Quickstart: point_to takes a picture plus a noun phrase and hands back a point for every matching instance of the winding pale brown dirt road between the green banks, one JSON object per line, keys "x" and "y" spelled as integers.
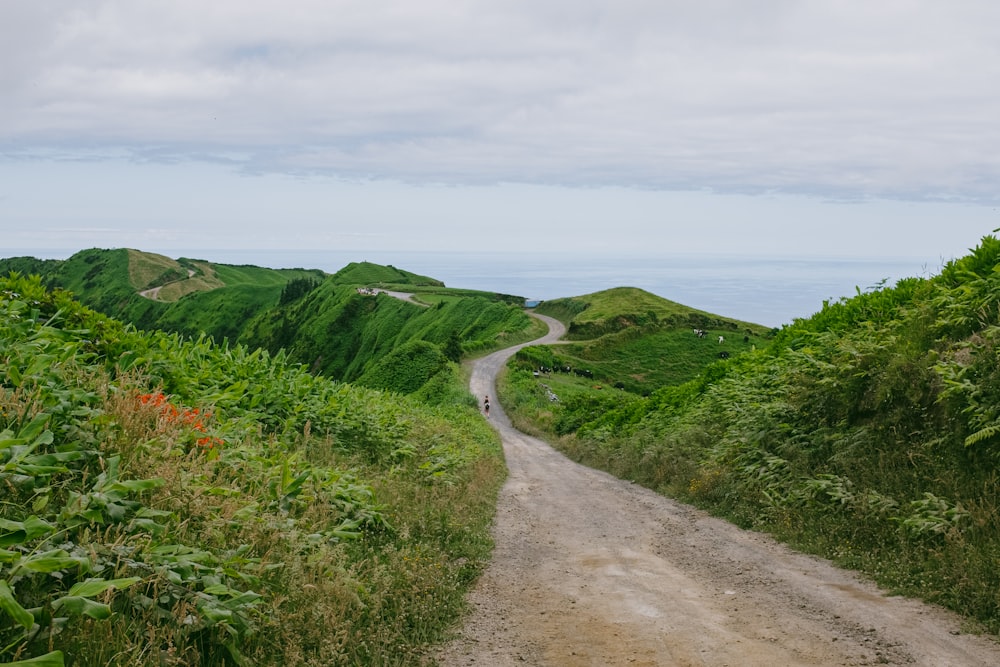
{"x": 592, "y": 570}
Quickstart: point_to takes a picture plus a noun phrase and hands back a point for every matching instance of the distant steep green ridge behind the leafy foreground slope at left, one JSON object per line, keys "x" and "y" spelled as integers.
{"x": 335, "y": 324}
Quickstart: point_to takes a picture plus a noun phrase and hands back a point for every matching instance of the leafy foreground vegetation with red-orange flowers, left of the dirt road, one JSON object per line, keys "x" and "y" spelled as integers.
{"x": 170, "y": 501}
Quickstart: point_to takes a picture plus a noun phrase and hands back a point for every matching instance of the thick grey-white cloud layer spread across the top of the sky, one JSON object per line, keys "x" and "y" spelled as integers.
{"x": 835, "y": 99}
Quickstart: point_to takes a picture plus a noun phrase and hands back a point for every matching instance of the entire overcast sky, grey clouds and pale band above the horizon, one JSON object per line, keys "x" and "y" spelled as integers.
{"x": 785, "y": 127}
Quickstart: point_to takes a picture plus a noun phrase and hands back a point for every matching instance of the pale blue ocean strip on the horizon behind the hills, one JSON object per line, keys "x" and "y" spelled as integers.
{"x": 770, "y": 291}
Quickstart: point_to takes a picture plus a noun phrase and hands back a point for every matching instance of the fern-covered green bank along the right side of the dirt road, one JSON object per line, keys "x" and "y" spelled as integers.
{"x": 868, "y": 433}
